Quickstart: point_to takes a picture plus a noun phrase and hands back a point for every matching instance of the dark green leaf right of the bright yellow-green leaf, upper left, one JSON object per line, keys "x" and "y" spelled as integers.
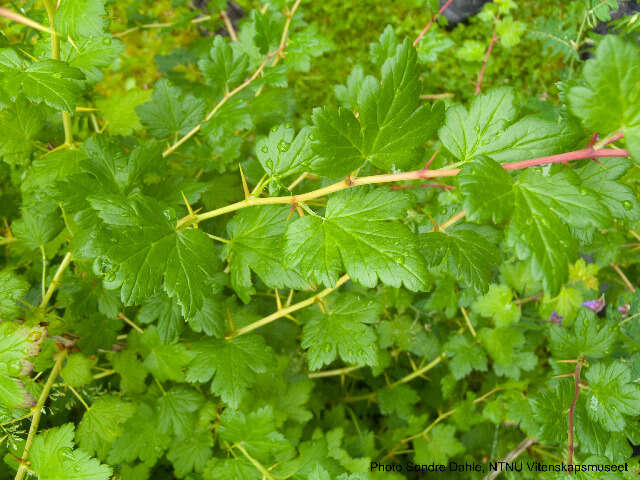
{"x": 170, "y": 112}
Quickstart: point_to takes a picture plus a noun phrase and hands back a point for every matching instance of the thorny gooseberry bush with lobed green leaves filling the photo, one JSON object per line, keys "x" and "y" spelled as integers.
{"x": 198, "y": 282}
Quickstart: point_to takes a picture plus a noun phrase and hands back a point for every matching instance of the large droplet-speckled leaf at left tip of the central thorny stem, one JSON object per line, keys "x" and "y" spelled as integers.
{"x": 148, "y": 252}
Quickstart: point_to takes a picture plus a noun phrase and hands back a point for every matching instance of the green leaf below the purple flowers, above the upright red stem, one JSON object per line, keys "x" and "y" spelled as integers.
{"x": 590, "y": 337}
